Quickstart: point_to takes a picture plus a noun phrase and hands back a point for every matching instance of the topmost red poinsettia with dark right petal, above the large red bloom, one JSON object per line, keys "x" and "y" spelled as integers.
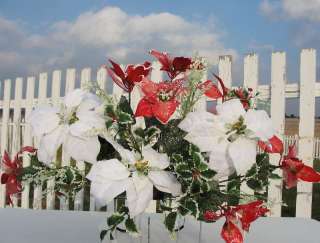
{"x": 172, "y": 65}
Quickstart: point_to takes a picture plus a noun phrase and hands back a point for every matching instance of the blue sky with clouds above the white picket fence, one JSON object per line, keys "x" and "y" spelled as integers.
{"x": 40, "y": 35}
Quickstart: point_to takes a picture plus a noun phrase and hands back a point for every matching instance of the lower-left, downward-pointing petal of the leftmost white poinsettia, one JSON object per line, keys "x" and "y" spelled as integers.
{"x": 49, "y": 145}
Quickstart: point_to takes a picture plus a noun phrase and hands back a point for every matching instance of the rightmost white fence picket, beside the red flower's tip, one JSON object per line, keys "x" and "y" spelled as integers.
{"x": 306, "y": 126}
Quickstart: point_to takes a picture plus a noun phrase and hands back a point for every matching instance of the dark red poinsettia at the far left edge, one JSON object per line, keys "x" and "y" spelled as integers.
{"x": 12, "y": 169}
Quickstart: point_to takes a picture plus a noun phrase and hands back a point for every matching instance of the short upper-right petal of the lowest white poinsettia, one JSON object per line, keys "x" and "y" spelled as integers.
{"x": 156, "y": 159}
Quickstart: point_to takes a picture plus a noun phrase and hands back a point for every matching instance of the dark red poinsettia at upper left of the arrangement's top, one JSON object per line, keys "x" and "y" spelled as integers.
{"x": 126, "y": 79}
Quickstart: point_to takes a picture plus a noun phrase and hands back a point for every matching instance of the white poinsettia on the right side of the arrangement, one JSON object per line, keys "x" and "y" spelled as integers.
{"x": 230, "y": 136}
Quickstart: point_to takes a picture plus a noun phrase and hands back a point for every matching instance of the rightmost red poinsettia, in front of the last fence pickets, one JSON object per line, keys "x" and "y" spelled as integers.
{"x": 294, "y": 169}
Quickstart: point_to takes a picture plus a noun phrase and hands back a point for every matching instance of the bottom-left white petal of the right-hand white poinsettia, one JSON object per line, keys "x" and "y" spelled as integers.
{"x": 219, "y": 160}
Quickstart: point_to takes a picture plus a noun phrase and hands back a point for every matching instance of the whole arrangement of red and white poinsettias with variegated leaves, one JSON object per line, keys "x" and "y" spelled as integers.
{"x": 192, "y": 161}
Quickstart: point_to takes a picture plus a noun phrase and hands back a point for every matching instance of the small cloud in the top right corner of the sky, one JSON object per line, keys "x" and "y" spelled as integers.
{"x": 292, "y": 9}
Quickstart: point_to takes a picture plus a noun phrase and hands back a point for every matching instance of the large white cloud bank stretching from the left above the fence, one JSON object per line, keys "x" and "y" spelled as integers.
{"x": 109, "y": 32}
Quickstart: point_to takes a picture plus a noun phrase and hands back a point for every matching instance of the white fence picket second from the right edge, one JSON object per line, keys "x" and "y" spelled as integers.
{"x": 278, "y": 85}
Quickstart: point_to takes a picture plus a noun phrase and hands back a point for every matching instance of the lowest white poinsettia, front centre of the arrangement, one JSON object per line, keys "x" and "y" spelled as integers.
{"x": 133, "y": 174}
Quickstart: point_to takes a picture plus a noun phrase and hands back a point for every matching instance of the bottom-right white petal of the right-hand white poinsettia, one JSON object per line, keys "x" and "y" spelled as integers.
{"x": 243, "y": 153}
